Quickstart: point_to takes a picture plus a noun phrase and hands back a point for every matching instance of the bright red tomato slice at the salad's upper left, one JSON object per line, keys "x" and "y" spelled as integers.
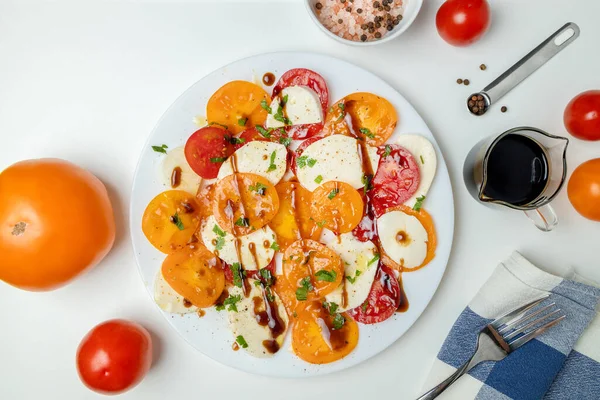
{"x": 206, "y": 150}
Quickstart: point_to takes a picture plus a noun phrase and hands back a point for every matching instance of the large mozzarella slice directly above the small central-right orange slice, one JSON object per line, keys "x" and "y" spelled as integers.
{"x": 336, "y": 158}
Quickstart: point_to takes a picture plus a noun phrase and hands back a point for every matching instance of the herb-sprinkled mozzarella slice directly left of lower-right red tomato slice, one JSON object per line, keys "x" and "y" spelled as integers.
{"x": 357, "y": 256}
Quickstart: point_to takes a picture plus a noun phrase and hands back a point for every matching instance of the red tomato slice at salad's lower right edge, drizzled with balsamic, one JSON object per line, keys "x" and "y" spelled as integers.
{"x": 383, "y": 300}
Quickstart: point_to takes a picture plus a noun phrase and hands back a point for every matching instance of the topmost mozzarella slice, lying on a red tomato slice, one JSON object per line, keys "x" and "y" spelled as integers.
{"x": 303, "y": 106}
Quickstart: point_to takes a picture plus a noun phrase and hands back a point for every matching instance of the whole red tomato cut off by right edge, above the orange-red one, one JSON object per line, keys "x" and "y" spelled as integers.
{"x": 582, "y": 115}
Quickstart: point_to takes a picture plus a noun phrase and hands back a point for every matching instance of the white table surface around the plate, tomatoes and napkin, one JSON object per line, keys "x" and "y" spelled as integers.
{"x": 87, "y": 81}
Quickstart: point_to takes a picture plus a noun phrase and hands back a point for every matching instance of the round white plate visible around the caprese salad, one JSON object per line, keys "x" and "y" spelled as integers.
{"x": 210, "y": 333}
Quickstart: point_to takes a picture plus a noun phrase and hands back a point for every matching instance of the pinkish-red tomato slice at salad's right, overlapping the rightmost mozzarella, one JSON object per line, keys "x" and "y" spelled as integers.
{"x": 396, "y": 180}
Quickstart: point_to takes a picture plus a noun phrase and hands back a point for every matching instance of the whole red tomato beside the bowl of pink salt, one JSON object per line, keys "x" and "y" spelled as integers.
{"x": 462, "y": 22}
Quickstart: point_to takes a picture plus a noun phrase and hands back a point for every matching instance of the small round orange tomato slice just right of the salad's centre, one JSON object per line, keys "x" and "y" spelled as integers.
{"x": 337, "y": 206}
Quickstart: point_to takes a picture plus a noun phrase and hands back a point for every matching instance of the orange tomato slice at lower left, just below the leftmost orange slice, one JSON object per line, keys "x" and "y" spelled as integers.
{"x": 196, "y": 274}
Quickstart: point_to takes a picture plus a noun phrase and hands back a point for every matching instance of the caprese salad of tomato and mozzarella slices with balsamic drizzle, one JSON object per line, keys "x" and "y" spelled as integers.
{"x": 291, "y": 214}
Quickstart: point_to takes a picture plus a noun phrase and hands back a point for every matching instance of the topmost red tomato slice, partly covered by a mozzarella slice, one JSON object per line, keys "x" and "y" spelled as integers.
{"x": 304, "y": 77}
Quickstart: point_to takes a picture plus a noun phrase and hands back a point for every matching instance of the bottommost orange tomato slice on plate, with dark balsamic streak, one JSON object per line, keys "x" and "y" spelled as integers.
{"x": 315, "y": 339}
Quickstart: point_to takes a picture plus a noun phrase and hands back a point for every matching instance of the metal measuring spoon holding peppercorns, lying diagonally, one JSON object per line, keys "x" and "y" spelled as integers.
{"x": 479, "y": 103}
